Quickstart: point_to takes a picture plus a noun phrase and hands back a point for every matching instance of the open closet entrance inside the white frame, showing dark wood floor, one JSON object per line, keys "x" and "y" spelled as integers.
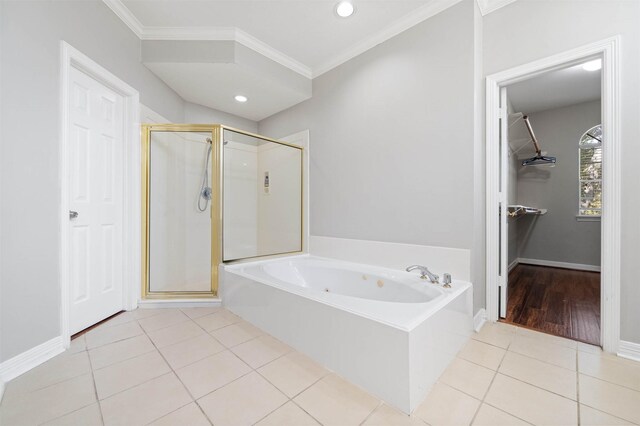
{"x": 553, "y": 136}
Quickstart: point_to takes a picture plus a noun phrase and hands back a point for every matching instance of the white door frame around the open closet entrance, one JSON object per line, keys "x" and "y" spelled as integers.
{"x": 609, "y": 50}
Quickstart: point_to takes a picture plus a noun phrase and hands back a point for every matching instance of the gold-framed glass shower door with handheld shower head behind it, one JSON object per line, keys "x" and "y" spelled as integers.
{"x": 181, "y": 195}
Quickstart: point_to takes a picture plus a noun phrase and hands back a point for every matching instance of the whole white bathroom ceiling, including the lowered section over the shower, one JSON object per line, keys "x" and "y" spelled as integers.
{"x": 295, "y": 38}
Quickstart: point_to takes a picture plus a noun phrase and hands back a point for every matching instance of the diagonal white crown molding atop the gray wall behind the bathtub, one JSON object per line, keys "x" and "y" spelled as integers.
{"x": 421, "y": 14}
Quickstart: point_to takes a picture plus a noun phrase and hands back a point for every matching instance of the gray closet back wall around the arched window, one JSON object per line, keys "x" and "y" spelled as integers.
{"x": 557, "y": 235}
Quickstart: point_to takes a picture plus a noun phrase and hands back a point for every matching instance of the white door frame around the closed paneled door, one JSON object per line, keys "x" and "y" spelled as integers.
{"x": 73, "y": 58}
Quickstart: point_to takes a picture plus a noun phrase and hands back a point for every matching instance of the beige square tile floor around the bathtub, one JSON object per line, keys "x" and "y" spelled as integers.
{"x": 205, "y": 366}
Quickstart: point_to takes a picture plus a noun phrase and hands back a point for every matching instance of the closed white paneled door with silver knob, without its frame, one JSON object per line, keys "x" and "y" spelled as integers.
{"x": 95, "y": 201}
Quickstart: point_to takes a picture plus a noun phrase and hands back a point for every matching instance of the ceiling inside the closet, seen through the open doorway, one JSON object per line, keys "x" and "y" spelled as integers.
{"x": 555, "y": 89}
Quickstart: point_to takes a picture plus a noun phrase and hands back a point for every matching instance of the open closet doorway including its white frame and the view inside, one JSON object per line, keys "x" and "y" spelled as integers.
{"x": 532, "y": 278}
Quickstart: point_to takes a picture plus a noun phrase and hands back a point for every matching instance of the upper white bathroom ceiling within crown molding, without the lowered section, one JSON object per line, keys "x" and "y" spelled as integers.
{"x": 308, "y": 31}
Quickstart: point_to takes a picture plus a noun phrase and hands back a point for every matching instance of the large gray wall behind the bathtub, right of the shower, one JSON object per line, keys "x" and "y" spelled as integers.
{"x": 392, "y": 137}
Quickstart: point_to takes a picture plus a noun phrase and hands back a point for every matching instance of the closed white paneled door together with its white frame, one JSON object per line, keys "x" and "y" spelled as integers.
{"x": 99, "y": 113}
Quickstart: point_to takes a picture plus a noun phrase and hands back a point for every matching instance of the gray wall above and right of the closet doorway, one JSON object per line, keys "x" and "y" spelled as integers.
{"x": 525, "y": 31}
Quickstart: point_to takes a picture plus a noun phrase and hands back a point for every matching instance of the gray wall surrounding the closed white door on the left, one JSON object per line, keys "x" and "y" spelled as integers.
{"x": 31, "y": 33}
